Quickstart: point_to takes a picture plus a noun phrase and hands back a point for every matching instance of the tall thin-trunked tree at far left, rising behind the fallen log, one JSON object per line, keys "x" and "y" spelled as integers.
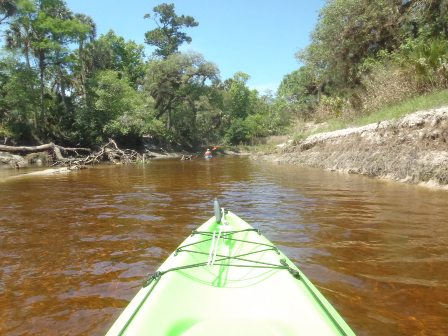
{"x": 45, "y": 30}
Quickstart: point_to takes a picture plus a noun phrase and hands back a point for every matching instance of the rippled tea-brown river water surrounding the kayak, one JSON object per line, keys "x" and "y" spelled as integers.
{"x": 74, "y": 249}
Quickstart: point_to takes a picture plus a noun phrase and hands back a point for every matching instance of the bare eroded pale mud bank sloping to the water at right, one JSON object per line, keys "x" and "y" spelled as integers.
{"x": 412, "y": 149}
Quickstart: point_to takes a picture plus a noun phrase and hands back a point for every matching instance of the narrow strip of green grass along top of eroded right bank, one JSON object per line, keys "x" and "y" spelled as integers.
{"x": 395, "y": 111}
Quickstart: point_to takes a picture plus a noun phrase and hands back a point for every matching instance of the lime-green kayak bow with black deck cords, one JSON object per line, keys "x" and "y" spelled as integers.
{"x": 228, "y": 279}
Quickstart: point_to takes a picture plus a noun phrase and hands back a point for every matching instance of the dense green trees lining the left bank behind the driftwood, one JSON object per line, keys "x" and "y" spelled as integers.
{"x": 60, "y": 83}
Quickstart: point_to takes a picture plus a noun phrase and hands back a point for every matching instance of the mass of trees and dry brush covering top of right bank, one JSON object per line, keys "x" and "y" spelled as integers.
{"x": 383, "y": 52}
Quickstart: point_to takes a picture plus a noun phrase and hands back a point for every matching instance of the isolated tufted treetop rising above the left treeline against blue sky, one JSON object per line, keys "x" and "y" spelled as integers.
{"x": 168, "y": 35}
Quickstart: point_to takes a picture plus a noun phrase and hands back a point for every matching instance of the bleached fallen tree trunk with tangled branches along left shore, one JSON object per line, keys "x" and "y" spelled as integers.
{"x": 109, "y": 152}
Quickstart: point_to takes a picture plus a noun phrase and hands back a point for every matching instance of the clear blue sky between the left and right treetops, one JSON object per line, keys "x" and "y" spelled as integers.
{"x": 258, "y": 37}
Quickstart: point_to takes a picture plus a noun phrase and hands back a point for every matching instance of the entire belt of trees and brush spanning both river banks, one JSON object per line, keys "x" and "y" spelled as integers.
{"x": 60, "y": 82}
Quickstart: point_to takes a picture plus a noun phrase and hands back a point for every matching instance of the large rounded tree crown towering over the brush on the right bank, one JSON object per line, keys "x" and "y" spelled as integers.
{"x": 347, "y": 32}
